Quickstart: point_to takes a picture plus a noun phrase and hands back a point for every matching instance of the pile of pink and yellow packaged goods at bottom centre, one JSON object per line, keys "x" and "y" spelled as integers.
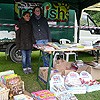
{"x": 43, "y": 95}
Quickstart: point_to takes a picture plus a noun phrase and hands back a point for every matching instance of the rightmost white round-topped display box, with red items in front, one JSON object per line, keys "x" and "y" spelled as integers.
{"x": 91, "y": 85}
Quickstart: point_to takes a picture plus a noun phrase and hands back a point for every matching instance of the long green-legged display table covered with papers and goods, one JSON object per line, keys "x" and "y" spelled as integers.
{"x": 50, "y": 48}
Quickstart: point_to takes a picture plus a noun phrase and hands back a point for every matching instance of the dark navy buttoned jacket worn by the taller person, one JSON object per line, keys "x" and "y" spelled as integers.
{"x": 40, "y": 28}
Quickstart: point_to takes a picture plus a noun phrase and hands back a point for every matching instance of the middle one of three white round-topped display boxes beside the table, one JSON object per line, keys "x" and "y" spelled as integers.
{"x": 73, "y": 83}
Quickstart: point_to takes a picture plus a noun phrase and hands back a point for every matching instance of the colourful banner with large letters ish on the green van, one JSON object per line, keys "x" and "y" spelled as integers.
{"x": 51, "y": 11}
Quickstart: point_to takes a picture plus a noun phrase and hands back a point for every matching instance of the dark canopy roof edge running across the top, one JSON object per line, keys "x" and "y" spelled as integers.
{"x": 77, "y": 5}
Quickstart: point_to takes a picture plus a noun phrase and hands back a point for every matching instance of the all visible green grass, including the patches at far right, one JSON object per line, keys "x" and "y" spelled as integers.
{"x": 30, "y": 81}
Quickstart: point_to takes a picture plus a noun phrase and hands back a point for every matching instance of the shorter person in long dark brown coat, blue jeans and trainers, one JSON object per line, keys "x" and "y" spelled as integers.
{"x": 24, "y": 41}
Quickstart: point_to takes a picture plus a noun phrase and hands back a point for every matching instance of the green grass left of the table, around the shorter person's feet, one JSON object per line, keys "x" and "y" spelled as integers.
{"x": 30, "y": 80}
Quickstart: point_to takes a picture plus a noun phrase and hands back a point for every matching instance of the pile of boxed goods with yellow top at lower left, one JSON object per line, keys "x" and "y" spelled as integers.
{"x": 13, "y": 82}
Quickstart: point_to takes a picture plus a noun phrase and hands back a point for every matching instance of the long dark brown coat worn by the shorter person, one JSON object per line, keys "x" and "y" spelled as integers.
{"x": 24, "y": 35}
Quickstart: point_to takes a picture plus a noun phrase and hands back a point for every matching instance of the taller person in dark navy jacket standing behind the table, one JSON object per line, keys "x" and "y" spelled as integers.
{"x": 41, "y": 31}
